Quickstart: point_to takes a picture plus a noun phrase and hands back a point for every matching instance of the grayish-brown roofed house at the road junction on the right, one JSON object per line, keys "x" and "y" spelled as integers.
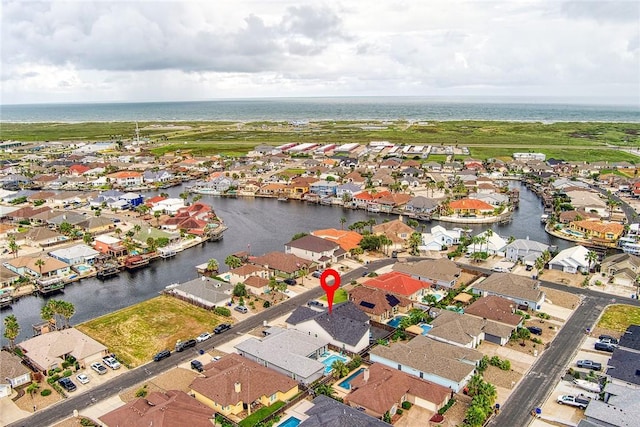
{"x": 522, "y": 290}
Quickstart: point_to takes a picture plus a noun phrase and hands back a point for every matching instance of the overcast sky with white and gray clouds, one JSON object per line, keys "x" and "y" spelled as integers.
{"x": 88, "y": 51}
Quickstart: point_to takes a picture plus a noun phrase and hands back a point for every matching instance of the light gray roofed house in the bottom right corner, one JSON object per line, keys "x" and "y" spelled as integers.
{"x": 619, "y": 407}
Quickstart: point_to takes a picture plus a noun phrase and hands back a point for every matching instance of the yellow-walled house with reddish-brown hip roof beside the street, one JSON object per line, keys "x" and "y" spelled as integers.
{"x": 235, "y": 383}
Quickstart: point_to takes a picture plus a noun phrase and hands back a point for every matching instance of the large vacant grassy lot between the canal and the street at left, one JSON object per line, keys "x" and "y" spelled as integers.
{"x": 136, "y": 333}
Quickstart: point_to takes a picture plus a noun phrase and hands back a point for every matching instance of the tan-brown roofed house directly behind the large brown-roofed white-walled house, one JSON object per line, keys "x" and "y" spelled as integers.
{"x": 468, "y": 331}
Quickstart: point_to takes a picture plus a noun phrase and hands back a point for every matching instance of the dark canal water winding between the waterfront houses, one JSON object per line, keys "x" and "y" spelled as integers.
{"x": 255, "y": 225}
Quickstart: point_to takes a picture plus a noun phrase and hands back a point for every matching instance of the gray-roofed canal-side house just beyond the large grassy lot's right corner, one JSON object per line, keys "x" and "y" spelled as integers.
{"x": 203, "y": 291}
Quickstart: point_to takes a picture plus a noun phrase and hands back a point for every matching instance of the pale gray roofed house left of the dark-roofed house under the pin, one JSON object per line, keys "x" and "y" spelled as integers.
{"x": 288, "y": 351}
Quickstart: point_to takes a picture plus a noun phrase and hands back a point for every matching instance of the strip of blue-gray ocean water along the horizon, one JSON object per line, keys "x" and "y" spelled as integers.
{"x": 317, "y": 109}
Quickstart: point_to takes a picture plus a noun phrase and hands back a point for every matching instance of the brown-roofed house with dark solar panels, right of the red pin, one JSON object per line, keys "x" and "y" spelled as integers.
{"x": 378, "y": 304}
